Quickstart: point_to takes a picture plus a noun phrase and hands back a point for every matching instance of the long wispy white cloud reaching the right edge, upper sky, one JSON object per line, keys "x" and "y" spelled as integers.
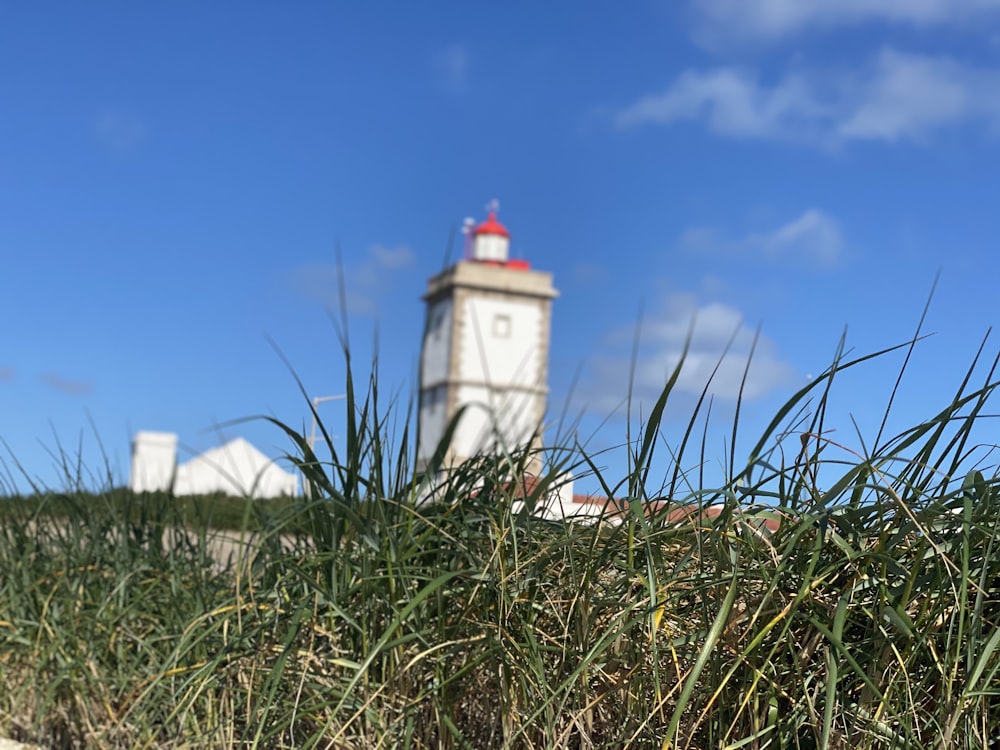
{"x": 897, "y": 96}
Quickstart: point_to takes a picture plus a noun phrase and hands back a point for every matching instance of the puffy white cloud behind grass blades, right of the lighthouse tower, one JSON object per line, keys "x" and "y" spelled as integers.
{"x": 711, "y": 328}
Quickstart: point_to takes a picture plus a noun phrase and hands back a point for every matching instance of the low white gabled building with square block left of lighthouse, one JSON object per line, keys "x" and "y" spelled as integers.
{"x": 236, "y": 468}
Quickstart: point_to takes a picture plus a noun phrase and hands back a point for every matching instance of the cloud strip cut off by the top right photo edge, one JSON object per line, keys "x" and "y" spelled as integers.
{"x": 770, "y": 19}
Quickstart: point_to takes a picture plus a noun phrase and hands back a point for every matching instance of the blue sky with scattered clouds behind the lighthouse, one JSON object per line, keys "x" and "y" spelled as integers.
{"x": 175, "y": 181}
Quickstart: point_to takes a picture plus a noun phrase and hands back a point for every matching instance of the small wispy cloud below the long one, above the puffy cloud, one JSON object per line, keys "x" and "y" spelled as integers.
{"x": 814, "y": 238}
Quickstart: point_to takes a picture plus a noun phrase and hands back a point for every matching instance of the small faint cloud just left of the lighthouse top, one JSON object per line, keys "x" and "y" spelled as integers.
{"x": 366, "y": 281}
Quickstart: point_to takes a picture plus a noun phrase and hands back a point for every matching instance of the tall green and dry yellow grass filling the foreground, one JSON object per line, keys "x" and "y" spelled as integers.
{"x": 431, "y": 609}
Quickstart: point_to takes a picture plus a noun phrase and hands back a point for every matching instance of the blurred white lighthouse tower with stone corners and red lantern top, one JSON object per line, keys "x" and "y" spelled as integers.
{"x": 486, "y": 347}
